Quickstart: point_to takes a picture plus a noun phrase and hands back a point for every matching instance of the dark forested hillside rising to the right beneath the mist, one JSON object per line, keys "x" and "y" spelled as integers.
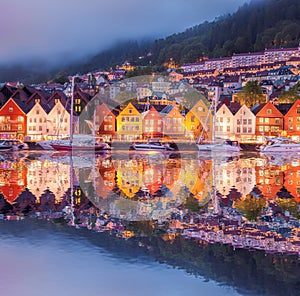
{"x": 255, "y": 26}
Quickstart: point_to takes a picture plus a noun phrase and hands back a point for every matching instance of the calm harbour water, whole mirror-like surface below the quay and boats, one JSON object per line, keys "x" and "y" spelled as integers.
{"x": 149, "y": 223}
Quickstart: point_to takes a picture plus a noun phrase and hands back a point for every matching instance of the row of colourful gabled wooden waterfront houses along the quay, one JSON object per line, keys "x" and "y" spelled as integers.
{"x": 36, "y": 117}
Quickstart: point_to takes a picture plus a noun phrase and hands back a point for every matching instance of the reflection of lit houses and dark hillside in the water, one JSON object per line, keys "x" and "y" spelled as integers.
{"x": 189, "y": 200}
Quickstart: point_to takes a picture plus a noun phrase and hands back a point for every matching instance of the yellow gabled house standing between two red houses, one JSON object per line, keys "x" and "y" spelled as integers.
{"x": 129, "y": 124}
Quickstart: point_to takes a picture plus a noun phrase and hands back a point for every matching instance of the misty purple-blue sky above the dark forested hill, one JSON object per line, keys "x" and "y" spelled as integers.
{"x": 63, "y": 29}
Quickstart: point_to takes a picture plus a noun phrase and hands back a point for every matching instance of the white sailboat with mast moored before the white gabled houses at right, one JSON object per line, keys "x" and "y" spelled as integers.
{"x": 224, "y": 146}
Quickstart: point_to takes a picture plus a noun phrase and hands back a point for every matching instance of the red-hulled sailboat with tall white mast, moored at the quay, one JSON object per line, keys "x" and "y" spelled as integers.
{"x": 79, "y": 142}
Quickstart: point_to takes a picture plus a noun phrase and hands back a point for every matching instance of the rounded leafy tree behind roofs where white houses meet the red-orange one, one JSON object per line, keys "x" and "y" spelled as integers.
{"x": 251, "y": 94}
